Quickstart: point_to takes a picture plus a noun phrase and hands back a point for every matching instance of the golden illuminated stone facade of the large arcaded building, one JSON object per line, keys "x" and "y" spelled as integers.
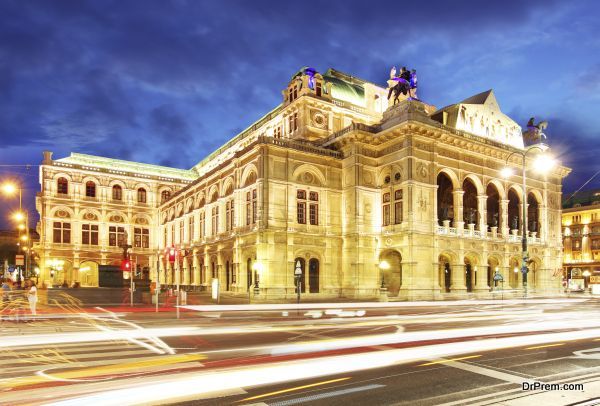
{"x": 360, "y": 194}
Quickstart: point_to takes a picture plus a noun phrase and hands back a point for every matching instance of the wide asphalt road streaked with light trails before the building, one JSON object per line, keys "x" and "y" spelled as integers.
{"x": 440, "y": 353}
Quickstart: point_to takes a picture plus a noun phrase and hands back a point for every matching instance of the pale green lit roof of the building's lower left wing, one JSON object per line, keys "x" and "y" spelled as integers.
{"x": 128, "y": 166}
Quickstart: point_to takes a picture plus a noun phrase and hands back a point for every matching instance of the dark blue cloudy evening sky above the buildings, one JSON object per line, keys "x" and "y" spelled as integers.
{"x": 167, "y": 82}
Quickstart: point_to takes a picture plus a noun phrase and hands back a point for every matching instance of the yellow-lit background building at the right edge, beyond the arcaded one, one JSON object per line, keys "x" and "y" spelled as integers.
{"x": 581, "y": 233}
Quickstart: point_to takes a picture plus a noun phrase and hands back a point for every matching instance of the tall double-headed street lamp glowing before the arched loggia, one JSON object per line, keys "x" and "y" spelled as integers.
{"x": 543, "y": 163}
